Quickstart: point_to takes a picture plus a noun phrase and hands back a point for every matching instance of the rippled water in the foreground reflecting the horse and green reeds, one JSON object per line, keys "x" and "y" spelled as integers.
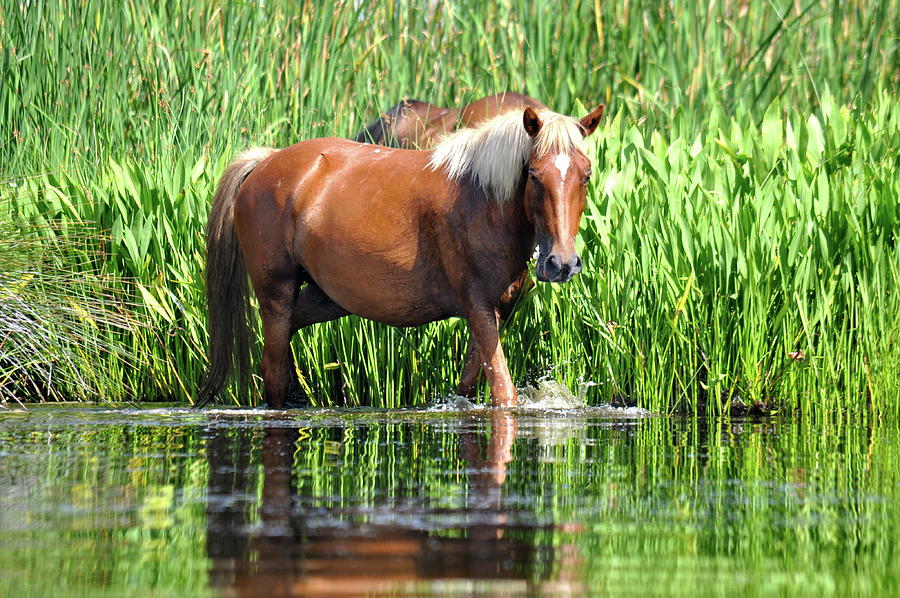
{"x": 100, "y": 501}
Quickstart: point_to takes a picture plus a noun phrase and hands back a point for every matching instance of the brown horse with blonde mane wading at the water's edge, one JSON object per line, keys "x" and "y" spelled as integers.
{"x": 329, "y": 227}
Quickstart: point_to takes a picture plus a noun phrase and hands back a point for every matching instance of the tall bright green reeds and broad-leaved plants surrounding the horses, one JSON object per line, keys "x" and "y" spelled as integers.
{"x": 744, "y": 208}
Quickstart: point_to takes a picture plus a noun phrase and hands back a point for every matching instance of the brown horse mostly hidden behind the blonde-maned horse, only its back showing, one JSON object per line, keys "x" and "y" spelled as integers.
{"x": 414, "y": 124}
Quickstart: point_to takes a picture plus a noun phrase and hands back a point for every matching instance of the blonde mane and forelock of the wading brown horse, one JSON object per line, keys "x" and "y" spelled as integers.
{"x": 495, "y": 152}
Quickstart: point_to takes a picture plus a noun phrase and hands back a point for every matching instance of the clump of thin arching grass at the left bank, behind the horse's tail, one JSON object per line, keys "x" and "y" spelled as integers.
{"x": 58, "y": 325}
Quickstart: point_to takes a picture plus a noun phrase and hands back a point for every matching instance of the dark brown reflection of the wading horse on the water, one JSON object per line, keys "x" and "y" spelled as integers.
{"x": 284, "y": 556}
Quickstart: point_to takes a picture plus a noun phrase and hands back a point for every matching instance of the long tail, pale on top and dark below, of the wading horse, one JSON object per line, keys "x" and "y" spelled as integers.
{"x": 227, "y": 294}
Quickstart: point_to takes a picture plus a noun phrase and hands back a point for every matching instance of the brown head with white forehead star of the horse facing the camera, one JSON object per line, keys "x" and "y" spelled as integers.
{"x": 558, "y": 174}
